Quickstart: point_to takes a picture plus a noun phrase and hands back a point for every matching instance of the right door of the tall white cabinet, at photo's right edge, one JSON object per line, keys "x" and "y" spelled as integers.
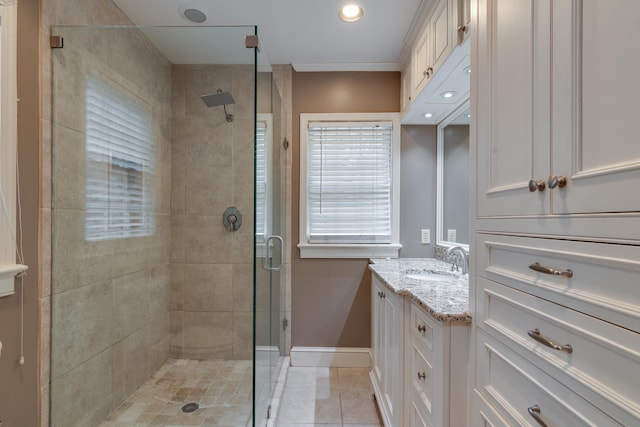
{"x": 595, "y": 93}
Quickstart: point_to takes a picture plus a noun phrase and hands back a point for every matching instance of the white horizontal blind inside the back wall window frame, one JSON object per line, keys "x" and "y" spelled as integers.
{"x": 349, "y": 182}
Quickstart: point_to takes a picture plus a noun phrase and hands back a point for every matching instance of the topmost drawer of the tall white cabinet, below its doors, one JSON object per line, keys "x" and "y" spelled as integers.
{"x": 604, "y": 282}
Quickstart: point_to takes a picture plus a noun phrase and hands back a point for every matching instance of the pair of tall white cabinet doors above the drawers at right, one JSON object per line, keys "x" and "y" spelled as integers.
{"x": 559, "y": 127}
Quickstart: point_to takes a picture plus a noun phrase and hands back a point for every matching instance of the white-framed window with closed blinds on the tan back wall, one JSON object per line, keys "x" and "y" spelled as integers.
{"x": 349, "y": 177}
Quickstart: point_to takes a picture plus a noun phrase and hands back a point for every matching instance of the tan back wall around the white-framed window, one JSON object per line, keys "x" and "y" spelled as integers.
{"x": 331, "y": 298}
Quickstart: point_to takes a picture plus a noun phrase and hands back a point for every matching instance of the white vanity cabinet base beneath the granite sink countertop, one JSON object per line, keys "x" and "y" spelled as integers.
{"x": 419, "y": 364}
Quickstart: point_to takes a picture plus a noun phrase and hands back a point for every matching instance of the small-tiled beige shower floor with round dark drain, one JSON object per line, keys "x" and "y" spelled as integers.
{"x": 221, "y": 388}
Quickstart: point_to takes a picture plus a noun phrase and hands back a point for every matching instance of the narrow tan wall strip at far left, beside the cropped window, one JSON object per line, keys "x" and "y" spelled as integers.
{"x": 18, "y": 384}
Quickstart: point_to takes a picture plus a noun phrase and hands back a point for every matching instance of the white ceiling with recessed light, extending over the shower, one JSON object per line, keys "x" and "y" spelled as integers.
{"x": 305, "y": 33}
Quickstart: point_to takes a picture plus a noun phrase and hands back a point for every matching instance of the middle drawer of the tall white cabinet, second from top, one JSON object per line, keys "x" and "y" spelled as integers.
{"x": 602, "y": 363}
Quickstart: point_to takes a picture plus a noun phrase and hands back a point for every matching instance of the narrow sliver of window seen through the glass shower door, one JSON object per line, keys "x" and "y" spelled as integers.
{"x": 263, "y": 183}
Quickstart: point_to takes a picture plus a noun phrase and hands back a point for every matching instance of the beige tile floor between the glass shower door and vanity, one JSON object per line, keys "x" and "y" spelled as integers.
{"x": 328, "y": 397}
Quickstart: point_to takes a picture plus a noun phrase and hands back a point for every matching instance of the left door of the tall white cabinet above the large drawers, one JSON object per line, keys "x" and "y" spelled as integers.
{"x": 511, "y": 88}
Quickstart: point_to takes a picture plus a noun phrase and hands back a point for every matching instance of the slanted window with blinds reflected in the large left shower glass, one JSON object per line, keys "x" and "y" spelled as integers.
{"x": 120, "y": 165}
